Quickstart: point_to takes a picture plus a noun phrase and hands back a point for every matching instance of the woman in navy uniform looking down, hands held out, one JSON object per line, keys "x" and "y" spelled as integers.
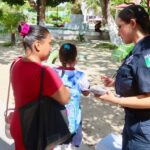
{"x": 132, "y": 81}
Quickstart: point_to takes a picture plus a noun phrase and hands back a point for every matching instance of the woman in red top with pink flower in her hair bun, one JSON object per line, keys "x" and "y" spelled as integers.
{"x": 26, "y": 75}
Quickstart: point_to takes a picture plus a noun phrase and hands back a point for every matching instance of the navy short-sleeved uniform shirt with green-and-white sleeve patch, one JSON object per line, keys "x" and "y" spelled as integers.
{"x": 133, "y": 76}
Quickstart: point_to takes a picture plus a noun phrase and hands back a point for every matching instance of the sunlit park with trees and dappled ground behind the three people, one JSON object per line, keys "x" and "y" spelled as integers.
{"x": 100, "y": 52}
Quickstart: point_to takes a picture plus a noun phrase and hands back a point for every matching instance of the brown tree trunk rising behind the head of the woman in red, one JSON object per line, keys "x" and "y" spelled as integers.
{"x": 42, "y": 12}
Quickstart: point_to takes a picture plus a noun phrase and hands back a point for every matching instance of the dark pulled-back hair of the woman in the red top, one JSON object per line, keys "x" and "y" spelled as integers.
{"x": 35, "y": 33}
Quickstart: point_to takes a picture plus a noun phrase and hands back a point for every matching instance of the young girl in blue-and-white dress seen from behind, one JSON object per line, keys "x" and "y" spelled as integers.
{"x": 77, "y": 82}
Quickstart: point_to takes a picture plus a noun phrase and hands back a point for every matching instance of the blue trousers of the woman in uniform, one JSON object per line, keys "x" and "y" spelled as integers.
{"x": 136, "y": 134}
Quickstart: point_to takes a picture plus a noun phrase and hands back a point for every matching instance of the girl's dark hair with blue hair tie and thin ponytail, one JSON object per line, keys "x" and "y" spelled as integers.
{"x": 67, "y": 54}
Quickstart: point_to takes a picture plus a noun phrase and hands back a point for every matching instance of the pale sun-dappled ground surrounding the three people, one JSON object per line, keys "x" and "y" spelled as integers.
{"x": 98, "y": 118}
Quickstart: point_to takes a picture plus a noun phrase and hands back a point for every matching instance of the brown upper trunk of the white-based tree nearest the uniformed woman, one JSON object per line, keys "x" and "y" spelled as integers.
{"x": 105, "y": 6}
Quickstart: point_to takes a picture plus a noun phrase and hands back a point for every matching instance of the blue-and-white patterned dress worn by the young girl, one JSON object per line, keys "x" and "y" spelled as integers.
{"x": 77, "y": 82}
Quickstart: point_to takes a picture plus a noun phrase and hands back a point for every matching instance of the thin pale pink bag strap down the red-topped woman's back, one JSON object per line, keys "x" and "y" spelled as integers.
{"x": 9, "y": 85}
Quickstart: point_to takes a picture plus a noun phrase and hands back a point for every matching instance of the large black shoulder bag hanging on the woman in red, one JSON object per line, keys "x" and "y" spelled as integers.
{"x": 44, "y": 122}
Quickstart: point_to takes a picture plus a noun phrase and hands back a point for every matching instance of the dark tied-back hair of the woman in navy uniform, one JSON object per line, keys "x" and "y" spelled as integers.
{"x": 138, "y": 13}
